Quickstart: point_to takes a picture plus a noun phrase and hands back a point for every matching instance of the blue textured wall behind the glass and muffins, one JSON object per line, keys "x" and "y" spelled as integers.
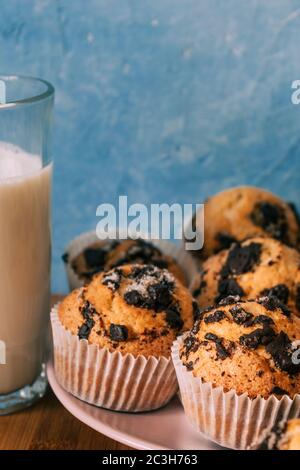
{"x": 163, "y": 100}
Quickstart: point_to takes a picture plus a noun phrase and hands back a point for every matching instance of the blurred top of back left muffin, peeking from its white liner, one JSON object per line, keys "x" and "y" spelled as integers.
{"x": 103, "y": 255}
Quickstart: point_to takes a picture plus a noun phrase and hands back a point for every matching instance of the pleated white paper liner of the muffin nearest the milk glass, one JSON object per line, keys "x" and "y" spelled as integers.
{"x": 109, "y": 379}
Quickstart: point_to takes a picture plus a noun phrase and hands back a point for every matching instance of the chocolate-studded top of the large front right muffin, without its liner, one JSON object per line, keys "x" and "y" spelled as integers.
{"x": 246, "y": 346}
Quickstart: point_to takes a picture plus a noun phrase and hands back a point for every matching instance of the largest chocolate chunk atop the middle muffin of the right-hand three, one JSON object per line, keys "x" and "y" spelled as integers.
{"x": 241, "y": 259}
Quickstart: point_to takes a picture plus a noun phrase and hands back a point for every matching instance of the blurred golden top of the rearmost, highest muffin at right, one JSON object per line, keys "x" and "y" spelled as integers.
{"x": 243, "y": 212}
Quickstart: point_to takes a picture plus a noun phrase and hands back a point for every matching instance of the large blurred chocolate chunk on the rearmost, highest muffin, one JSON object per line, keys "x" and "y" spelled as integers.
{"x": 271, "y": 218}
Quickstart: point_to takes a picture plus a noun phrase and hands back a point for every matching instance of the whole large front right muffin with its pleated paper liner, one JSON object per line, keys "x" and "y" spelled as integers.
{"x": 237, "y": 369}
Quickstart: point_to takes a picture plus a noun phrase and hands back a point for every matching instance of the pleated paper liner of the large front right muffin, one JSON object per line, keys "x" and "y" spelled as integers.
{"x": 230, "y": 420}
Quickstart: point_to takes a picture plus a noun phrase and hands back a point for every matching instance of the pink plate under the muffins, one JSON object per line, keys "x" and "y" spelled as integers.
{"x": 163, "y": 429}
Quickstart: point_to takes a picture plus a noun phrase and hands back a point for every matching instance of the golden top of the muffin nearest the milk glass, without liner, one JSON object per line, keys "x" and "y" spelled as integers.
{"x": 137, "y": 309}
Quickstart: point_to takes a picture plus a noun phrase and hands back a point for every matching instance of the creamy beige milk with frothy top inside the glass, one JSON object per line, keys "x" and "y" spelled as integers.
{"x": 24, "y": 265}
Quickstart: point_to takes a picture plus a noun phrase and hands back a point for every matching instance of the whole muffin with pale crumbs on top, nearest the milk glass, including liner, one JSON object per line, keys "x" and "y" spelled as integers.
{"x": 113, "y": 337}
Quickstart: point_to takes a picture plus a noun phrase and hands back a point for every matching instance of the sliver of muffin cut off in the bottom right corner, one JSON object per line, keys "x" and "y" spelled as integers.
{"x": 283, "y": 436}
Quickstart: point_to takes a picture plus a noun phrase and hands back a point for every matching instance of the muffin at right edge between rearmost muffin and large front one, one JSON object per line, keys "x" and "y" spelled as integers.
{"x": 257, "y": 267}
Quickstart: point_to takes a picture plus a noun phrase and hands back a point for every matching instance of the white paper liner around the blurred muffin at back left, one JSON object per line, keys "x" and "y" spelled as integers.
{"x": 78, "y": 244}
